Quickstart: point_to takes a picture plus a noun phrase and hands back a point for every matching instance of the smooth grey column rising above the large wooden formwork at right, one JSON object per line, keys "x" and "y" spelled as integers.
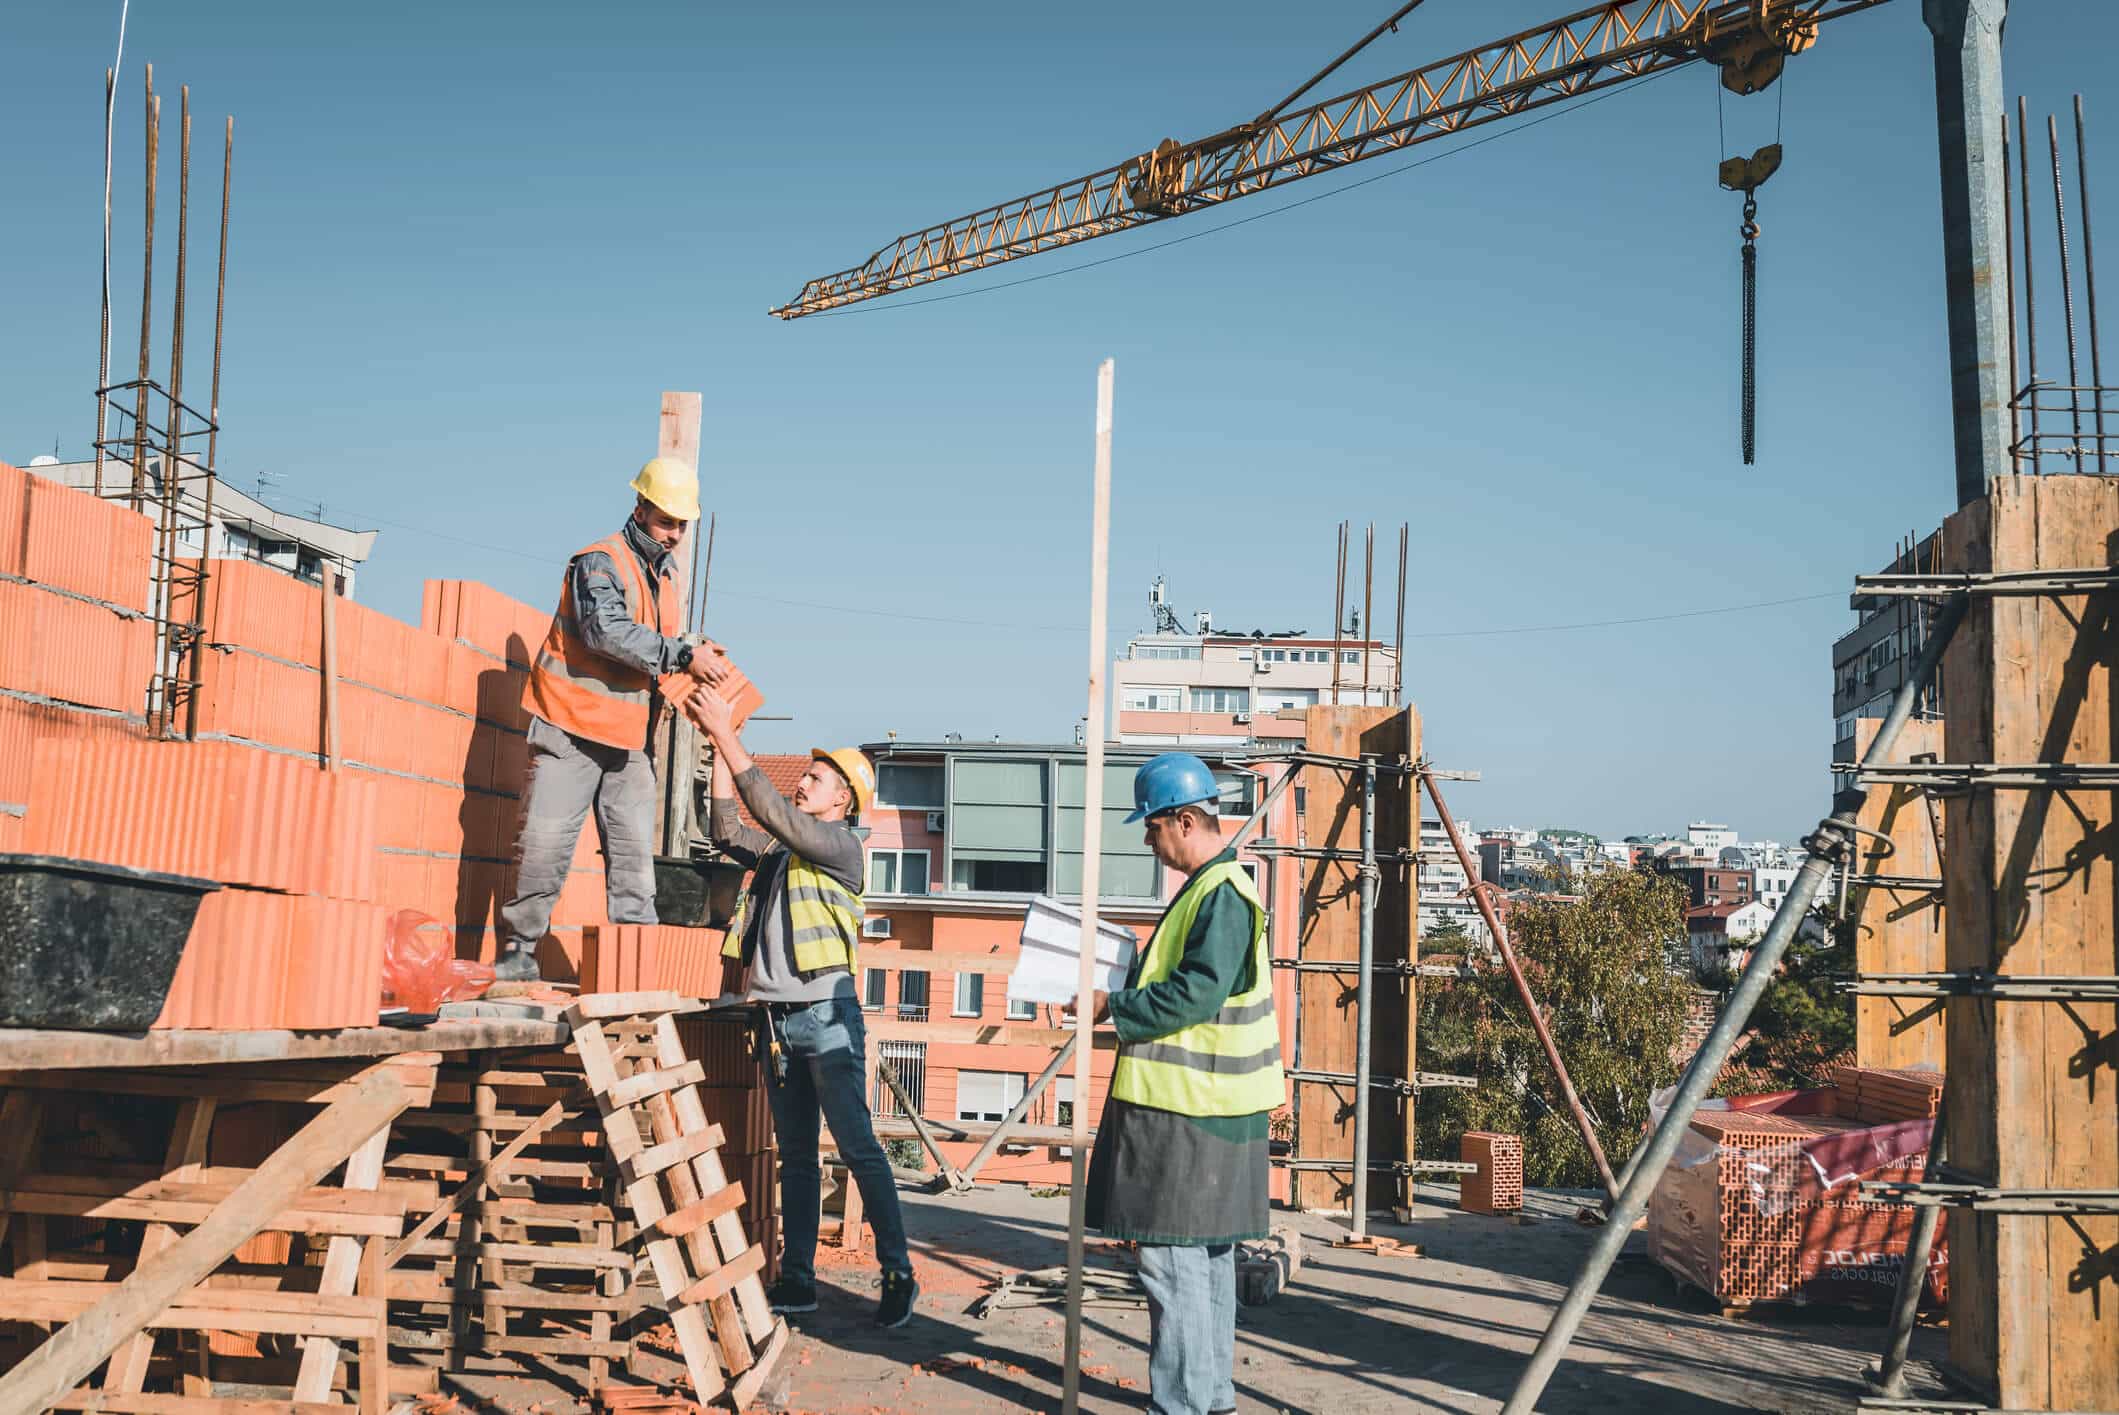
{"x": 1976, "y": 247}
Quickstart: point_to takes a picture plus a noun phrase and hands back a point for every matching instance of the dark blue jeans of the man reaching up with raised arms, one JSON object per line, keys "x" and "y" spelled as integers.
{"x": 827, "y": 1047}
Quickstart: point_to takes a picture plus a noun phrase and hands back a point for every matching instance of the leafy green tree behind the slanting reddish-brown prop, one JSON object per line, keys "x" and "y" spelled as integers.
{"x": 1599, "y": 967}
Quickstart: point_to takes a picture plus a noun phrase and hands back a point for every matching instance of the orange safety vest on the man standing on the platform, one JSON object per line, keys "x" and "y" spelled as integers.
{"x": 582, "y": 692}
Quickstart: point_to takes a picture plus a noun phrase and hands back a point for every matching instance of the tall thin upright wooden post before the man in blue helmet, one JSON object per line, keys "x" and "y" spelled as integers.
{"x": 1092, "y": 861}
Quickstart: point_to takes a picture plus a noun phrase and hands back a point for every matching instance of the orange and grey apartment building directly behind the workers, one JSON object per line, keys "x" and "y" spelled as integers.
{"x": 961, "y": 838}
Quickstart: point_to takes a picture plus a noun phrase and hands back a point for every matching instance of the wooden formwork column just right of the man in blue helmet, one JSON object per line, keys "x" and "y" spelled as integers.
{"x": 1330, "y": 931}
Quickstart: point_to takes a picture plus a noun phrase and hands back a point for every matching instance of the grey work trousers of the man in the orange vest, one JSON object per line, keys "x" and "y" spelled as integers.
{"x": 567, "y": 776}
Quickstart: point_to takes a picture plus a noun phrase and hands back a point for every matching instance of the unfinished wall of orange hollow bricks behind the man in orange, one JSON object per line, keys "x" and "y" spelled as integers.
{"x": 419, "y": 814}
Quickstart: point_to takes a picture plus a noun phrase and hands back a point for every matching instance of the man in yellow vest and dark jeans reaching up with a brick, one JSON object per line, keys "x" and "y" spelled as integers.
{"x": 796, "y": 937}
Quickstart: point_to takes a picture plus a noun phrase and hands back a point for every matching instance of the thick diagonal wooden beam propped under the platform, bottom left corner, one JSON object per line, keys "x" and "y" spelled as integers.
{"x": 317, "y": 1149}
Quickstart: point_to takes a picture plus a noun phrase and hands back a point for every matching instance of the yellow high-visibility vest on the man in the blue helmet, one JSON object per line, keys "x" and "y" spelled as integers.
{"x": 1230, "y": 1064}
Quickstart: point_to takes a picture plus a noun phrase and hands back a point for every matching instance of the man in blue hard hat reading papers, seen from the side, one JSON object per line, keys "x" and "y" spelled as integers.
{"x": 1181, "y": 1151}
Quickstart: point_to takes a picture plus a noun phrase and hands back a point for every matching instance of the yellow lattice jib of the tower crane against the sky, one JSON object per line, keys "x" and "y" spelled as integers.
{"x": 1567, "y": 58}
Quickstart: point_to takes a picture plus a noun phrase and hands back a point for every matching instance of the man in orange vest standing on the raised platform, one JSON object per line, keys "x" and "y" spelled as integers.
{"x": 611, "y": 649}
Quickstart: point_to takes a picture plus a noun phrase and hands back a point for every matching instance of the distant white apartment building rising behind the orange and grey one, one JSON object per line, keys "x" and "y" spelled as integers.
{"x": 1219, "y": 689}
